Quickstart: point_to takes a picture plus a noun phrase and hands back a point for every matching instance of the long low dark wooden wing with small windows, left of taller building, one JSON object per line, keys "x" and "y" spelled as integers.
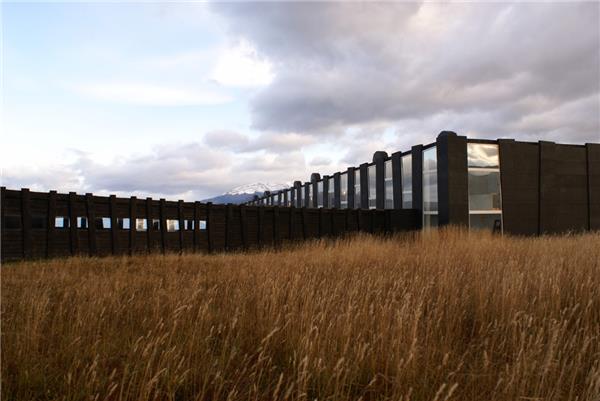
{"x": 42, "y": 225}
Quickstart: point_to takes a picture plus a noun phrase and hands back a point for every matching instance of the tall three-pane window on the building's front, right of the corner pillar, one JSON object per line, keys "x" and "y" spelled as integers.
{"x": 485, "y": 201}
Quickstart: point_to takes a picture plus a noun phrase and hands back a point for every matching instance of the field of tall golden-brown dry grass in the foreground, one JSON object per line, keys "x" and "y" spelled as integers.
{"x": 444, "y": 315}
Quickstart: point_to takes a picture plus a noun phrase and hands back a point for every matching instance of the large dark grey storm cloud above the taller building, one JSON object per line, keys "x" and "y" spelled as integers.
{"x": 501, "y": 69}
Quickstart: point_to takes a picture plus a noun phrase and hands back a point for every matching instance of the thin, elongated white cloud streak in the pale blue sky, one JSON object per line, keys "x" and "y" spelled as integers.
{"x": 150, "y": 94}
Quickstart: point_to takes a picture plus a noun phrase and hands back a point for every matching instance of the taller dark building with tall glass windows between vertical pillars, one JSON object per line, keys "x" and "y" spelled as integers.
{"x": 502, "y": 185}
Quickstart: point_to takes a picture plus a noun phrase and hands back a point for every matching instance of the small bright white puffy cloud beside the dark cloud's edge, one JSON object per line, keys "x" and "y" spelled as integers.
{"x": 242, "y": 66}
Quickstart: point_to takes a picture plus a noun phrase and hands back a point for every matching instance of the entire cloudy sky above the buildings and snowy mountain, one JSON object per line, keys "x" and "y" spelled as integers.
{"x": 187, "y": 100}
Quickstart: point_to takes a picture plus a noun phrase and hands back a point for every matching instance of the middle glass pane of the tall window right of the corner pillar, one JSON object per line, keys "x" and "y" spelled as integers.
{"x": 484, "y": 190}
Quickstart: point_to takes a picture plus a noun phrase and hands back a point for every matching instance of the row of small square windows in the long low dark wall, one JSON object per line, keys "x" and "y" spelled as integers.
{"x": 104, "y": 223}
